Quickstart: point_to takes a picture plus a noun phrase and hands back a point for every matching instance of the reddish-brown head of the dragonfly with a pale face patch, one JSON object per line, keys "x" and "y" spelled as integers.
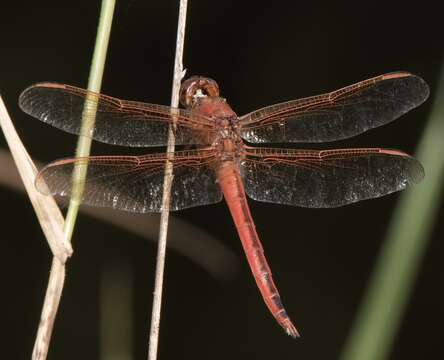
{"x": 196, "y": 87}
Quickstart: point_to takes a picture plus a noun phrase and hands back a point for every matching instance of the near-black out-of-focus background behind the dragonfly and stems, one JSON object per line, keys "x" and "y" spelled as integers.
{"x": 260, "y": 53}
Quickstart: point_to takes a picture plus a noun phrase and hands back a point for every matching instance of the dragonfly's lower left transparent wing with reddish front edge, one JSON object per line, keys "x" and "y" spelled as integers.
{"x": 135, "y": 183}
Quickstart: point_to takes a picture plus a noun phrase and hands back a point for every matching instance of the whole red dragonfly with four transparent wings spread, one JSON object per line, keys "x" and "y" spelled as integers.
{"x": 222, "y": 165}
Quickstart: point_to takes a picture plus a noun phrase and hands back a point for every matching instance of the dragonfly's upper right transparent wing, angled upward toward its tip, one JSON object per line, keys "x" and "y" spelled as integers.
{"x": 337, "y": 115}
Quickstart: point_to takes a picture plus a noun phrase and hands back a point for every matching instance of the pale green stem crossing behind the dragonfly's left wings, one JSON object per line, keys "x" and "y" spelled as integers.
{"x": 88, "y": 120}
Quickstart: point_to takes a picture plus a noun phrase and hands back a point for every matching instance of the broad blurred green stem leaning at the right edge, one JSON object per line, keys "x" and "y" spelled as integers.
{"x": 395, "y": 272}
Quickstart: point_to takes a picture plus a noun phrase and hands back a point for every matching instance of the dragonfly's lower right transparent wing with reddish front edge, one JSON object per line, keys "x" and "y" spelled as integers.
{"x": 328, "y": 178}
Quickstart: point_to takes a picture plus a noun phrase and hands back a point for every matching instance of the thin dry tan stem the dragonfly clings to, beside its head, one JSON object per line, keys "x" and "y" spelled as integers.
{"x": 160, "y": 264}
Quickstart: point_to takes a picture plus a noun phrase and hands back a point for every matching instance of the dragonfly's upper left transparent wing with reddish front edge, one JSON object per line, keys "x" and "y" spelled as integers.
{"x": 117, "y": 122}
